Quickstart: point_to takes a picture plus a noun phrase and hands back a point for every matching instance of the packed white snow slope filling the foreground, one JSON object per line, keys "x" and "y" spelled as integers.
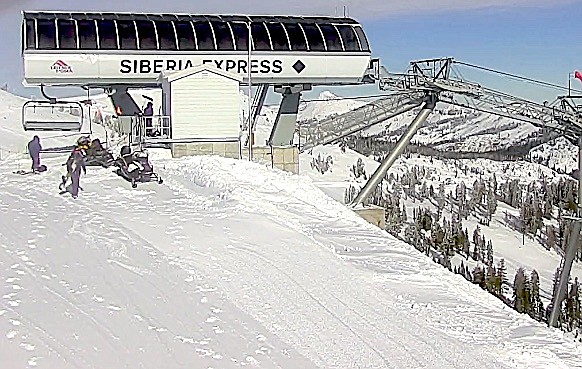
{"x": 229, "y": 264}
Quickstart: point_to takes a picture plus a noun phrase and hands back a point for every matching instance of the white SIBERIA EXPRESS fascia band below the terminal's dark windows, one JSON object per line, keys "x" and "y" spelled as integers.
{"x": 107, "y": 69}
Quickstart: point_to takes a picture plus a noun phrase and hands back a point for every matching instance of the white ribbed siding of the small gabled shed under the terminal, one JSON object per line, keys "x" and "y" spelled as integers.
{"x": 205, "y": 105}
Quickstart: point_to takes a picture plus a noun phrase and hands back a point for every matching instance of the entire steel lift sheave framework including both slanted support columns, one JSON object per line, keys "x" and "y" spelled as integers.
{"x": 438, "y": 80}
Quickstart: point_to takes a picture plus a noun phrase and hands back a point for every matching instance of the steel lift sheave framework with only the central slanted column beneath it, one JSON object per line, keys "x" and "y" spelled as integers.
{"x": 429, "y": 82}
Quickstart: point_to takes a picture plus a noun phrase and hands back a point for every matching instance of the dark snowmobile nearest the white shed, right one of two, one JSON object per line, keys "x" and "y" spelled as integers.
{"x": 135, "y": 167}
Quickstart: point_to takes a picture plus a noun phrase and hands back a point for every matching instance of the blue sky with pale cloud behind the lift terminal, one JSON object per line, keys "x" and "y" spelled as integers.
{"x": 537, "y": 39}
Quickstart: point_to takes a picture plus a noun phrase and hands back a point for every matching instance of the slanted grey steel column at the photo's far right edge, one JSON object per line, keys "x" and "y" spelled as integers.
{"x": 570, "y": 251}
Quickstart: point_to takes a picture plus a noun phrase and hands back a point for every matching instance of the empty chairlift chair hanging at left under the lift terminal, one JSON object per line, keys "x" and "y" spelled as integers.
{"x": 52, "y": 115}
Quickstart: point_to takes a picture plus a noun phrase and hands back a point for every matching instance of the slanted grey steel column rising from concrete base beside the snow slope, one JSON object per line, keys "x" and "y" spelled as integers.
{"x": 379, "y": 174}
